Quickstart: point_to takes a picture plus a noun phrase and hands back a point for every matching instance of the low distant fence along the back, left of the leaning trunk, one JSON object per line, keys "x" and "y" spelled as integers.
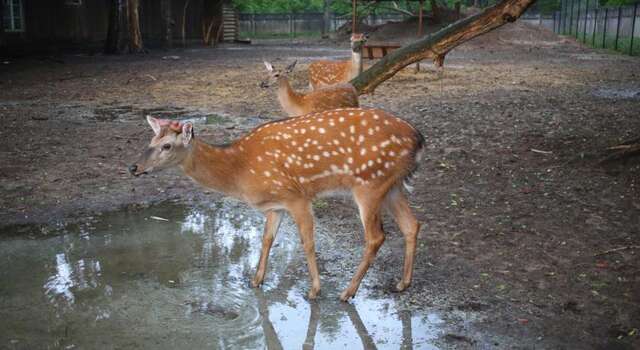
{"x": 299, "y": 23}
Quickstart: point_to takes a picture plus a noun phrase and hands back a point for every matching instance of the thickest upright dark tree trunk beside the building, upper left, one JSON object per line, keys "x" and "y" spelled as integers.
{"x": 123, "y": 34}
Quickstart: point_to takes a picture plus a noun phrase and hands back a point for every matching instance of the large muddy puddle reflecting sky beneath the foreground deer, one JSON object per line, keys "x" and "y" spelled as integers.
{"x": 172, "y": 277}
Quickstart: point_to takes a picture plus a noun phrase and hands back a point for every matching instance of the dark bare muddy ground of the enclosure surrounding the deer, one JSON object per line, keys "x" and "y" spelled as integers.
{"x": 523, "y": 224}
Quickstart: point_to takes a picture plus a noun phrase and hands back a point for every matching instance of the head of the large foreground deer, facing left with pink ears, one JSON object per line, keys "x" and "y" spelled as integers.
{"x": 168, "y": 148}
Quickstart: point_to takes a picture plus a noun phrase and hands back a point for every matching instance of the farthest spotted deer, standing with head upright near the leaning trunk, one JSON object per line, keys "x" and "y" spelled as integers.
{"x": 326, "y": 72}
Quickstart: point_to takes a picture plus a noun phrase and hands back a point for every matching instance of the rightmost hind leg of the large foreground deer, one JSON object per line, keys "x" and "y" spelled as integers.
{"x": 398, "y": 205}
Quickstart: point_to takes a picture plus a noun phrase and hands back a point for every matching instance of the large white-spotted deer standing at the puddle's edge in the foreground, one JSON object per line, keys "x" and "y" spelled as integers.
{"x": 283, "y": 165}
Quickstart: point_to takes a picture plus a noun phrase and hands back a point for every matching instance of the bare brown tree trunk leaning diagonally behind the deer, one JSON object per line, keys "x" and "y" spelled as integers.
{"x": 437, "y": 45}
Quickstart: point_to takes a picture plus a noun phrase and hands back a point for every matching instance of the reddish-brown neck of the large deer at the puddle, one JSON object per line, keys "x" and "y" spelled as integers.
{"x": 214, "y": 167}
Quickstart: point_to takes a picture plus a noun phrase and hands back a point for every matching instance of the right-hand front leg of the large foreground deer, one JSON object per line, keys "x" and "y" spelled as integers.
{"x": 303, "y": 217}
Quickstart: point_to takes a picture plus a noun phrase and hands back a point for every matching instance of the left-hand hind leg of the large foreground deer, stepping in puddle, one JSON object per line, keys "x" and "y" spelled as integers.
{"x": 368, "y": 202}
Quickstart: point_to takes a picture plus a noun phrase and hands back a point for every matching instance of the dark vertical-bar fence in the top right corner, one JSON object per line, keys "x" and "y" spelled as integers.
{"x": 616, "y": 28}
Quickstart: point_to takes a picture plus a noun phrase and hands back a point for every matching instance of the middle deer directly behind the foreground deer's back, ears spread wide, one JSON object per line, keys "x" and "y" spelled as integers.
{"x": 322, "y": 99}
